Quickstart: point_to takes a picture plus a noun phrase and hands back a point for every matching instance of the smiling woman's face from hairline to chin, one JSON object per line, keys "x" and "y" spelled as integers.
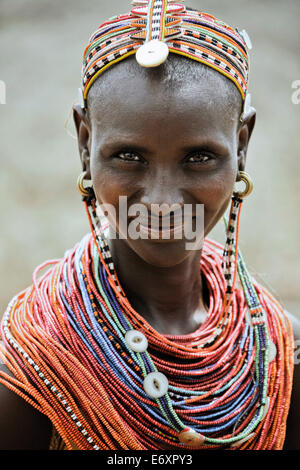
{"x": 159, "y": 144}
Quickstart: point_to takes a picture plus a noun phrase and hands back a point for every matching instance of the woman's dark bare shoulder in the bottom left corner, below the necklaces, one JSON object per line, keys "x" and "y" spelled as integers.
{"x": 22, "y": 427}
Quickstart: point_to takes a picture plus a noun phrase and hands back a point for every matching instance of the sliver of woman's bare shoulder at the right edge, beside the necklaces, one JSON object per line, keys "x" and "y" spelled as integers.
{"x": 292, "y": 441}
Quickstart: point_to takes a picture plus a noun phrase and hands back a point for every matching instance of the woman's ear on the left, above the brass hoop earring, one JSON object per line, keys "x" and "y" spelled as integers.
{"x": 83, "y": 137}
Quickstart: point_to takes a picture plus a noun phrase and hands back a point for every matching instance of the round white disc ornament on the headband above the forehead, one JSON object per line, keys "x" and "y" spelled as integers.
{"x": 152, "y": 53}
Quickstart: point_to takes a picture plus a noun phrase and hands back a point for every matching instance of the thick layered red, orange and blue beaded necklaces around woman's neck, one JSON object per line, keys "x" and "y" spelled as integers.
{"x": 78, "y": 353}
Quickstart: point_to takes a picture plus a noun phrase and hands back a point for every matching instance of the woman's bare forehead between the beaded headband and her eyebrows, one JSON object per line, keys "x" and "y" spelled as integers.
{"x": 144, "y": 100}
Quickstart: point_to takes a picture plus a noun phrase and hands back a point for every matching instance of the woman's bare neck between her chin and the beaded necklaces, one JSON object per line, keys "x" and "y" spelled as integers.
{"x": 173, "y": 300}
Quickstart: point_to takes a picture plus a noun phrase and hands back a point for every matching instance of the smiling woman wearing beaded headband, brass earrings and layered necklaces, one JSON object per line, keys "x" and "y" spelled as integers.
{"x": 149, "y": 341}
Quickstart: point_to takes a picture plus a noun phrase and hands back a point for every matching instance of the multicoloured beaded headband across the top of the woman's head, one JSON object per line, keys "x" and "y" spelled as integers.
{"x": 153, "y": 28}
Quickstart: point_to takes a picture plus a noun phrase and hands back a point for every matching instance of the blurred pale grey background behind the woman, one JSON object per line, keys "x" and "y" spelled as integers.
{"x": 41, "y": 46}
